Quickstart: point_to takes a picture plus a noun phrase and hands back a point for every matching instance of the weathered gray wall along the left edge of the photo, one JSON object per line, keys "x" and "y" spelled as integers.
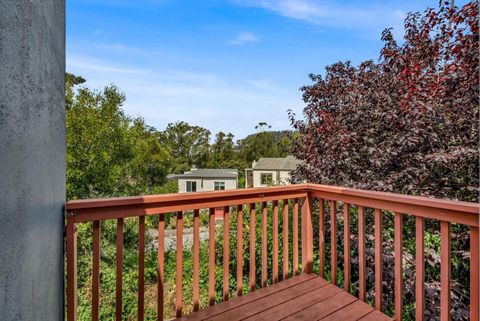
{"x": 32, "y": 159}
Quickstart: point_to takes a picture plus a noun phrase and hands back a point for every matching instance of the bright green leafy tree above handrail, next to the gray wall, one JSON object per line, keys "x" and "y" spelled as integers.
{"x": 109, "y": 153}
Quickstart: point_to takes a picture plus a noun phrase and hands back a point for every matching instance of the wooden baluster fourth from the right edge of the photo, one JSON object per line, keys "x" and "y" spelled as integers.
{"x": 398, "y": 234}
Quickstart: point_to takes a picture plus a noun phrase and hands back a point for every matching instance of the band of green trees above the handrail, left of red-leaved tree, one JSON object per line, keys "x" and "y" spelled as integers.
{"x": 112, "y": 154}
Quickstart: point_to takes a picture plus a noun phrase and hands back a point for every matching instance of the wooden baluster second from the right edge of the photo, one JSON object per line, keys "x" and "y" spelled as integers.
{"x": 445, "y": 272}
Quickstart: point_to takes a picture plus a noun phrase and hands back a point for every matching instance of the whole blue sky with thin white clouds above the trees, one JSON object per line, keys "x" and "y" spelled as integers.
{"x": 223, "y": 65}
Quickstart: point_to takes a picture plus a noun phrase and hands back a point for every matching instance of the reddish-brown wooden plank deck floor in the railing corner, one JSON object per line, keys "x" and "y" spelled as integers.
{"x": 305, "y": 297}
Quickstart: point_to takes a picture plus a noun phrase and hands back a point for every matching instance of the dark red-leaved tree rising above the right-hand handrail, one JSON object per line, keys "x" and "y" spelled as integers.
{"x": 407, "y": 124}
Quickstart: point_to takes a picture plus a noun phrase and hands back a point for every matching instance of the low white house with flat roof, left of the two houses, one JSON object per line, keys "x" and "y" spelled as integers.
{"x": 206, "y": 179}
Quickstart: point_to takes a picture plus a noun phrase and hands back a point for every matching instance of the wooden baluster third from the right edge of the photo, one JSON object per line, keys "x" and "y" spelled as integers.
{"x": 419, "y": 268}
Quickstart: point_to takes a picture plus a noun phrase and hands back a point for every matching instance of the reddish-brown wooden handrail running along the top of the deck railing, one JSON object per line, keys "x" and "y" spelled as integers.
{"x": 441, "y": 209}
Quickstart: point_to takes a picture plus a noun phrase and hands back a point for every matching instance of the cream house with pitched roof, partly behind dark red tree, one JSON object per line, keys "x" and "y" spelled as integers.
{"x": 270, "y": 171}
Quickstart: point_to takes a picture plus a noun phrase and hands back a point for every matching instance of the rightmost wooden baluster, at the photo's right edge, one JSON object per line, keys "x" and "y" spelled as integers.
{"x": 474, "y": 279}
